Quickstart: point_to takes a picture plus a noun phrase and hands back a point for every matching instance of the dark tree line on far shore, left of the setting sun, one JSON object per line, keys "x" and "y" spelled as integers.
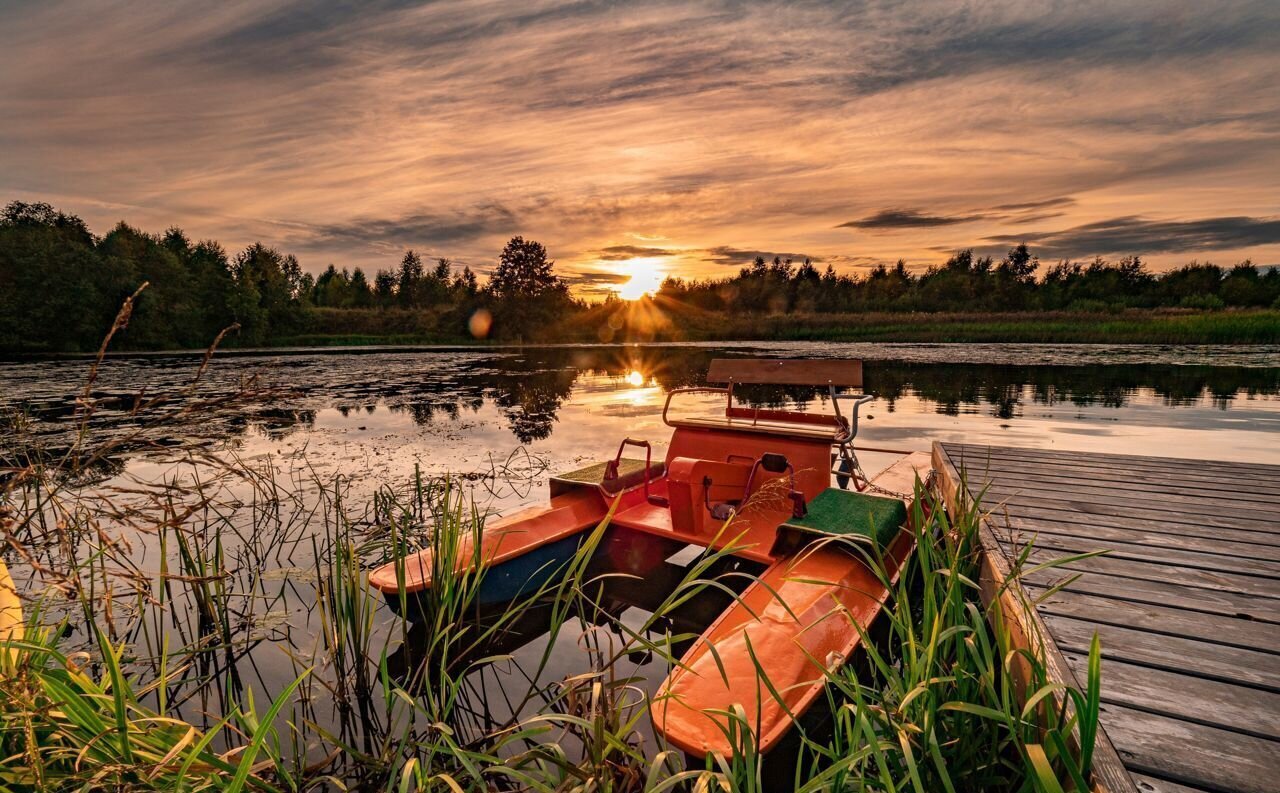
{"x": 61, "y": 288}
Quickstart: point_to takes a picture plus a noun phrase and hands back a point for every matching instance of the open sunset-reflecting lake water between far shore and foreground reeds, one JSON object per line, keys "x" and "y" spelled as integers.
{"x": 378, "y": 414}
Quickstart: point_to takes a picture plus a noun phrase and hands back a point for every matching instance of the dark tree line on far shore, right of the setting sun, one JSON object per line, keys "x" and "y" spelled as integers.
{"x": 975, "y": 283}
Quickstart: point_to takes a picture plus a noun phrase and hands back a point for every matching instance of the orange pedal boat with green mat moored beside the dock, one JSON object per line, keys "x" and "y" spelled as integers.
{"x": 757, "y": 484}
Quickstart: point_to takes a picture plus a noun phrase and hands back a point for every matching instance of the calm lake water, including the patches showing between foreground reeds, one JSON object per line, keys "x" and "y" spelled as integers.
{"x": 501, "y": 420}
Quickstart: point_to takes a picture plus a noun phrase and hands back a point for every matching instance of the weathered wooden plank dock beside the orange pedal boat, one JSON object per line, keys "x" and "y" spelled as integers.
{"x": 1187, "y": 602}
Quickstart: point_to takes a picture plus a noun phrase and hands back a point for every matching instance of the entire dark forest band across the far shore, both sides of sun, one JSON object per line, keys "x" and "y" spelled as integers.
{"x": 61, "y": 288}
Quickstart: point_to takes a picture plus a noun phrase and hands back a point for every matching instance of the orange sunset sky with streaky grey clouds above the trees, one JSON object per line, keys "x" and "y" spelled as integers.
{"x": 639, "y": 140}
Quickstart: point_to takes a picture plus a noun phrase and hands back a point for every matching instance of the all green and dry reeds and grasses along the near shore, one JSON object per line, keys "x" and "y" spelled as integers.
{"x": 931, "y": 705}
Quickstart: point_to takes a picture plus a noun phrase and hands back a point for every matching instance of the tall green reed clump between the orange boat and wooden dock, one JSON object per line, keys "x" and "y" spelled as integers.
{"x": 936, "y": 702}
